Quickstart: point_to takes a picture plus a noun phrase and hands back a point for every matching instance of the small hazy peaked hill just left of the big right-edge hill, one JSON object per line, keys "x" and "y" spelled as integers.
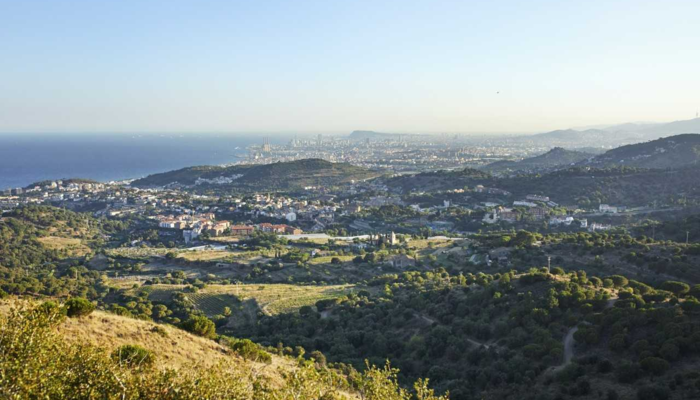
{"x": 554, "y": 159}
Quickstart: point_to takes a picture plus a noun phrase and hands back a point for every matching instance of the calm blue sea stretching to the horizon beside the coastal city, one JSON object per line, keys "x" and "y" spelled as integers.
{"x": 29, "y": 158}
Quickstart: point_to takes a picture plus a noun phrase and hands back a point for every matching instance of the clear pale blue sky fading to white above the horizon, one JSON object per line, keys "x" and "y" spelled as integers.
{"x": 336, "y": 66}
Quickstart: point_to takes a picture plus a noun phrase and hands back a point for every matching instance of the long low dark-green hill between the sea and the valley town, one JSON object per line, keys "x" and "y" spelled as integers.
{"x": 277, "y": 176}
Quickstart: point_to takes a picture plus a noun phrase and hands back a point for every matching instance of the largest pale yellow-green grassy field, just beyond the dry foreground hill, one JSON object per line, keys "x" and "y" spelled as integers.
{"x": 271, "y": 298}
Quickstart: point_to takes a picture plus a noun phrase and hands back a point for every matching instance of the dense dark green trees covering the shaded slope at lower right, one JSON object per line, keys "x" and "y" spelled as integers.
{"x": 474, "y": 333}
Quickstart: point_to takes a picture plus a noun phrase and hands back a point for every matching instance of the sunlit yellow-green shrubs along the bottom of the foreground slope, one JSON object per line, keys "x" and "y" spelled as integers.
{"x": 51, "y": 366}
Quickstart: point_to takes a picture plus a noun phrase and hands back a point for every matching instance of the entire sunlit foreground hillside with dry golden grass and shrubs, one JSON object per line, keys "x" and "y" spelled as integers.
{"x": 102, "y": 356}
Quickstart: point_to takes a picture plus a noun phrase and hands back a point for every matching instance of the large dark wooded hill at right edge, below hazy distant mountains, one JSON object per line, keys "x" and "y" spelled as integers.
{"x": 670, "y": 152}
